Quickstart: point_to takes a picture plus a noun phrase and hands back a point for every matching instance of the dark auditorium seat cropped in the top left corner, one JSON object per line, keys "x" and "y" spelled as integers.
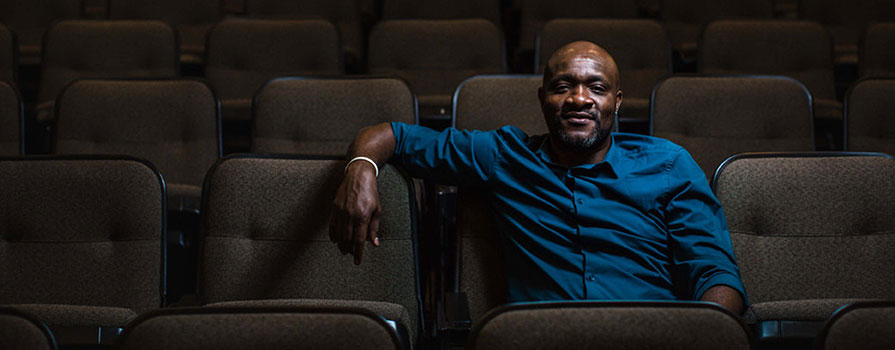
{"x": 30, "y": 20}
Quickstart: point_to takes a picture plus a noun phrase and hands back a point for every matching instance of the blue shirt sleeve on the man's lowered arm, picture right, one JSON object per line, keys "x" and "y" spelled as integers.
{"x": 698, "y": 233}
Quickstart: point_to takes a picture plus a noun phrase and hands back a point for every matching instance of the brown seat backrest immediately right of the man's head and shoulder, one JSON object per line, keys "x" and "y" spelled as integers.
{"x": 714, "y": 117}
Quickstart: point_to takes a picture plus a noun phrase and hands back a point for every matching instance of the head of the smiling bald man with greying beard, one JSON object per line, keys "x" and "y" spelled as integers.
{"x": 580, "y": 95}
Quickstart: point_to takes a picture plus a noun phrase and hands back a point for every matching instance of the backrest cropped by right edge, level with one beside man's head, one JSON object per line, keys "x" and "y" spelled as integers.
{"x": 869, "y": 125}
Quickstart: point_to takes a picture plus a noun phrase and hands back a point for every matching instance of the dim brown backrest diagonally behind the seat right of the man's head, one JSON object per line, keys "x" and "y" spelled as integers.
{"x": 798, "y": 49}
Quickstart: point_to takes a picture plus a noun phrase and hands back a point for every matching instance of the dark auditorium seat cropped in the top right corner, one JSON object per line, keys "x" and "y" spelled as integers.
{"x": 845, "y": 21}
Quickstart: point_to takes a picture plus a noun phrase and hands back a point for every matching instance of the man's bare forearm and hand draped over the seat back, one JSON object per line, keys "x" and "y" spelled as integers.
{"x": 355, "y": 214}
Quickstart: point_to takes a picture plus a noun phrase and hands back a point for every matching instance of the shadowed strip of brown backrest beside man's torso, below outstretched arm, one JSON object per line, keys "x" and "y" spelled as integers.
{"x": 482, "y": 269}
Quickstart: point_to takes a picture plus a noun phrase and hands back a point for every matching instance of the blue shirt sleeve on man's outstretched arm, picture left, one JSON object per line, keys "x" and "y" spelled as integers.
{"x": 449, "y": 157}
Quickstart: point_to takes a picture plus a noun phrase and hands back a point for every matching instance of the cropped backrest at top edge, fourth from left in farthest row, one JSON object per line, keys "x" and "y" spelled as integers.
{"x": 434, "y": 9}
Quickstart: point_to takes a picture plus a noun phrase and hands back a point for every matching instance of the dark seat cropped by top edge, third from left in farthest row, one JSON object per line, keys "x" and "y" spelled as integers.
{"x": 344, "y": 14}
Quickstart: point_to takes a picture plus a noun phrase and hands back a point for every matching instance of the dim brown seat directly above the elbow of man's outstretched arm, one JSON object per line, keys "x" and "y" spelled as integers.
{"x": 434, "y": 56}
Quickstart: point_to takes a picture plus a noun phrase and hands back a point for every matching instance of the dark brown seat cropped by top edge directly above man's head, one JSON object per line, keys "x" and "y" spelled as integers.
{"x": 535, "y": 13}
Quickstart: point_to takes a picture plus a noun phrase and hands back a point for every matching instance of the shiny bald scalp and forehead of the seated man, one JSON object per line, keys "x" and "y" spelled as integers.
{"x": 582, "y": 50}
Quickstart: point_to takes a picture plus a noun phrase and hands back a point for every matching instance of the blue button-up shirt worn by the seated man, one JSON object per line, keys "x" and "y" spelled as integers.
{"x": 642, "y": 224}
